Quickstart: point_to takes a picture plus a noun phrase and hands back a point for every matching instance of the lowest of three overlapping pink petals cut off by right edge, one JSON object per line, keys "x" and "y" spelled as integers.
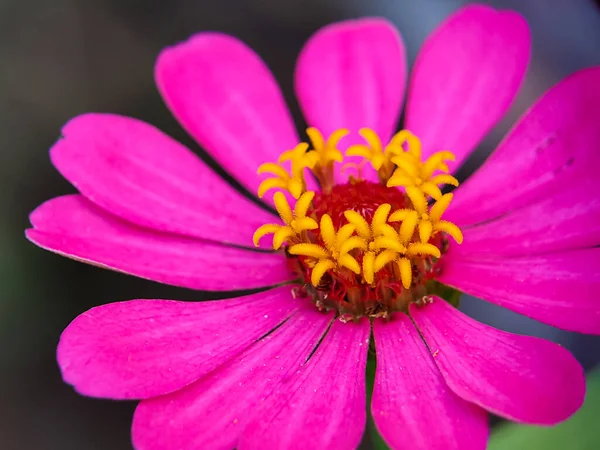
{"x": 562, "y": 289}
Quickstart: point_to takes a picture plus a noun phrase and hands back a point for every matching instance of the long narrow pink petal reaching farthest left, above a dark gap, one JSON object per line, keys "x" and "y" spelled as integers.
{"x": 74, "y": 227}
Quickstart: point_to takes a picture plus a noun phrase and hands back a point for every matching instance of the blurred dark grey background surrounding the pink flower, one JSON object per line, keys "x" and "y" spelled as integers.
{"x": 61, "y": 58}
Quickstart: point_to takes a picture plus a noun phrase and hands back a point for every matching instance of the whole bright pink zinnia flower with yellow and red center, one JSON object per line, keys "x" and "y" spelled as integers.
{"x": 269, "y": 370}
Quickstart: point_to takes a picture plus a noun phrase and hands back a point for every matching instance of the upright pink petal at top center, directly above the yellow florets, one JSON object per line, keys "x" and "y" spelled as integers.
{"x": 351, "y": 75}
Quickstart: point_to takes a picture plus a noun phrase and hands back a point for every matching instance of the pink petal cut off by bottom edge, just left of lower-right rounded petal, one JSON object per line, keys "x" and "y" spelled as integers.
{"x": 412, "y": 402}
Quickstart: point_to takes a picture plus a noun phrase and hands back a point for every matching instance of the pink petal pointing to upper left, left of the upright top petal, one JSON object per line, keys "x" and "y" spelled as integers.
{"x": 227, "y": 99}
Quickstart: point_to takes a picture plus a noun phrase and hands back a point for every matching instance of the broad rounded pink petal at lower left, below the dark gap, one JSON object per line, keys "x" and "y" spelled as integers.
{"x": 145, "y": 348}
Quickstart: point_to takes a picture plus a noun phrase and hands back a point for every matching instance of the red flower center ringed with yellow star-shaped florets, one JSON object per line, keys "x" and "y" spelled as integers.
{"x": 362, "y": 248}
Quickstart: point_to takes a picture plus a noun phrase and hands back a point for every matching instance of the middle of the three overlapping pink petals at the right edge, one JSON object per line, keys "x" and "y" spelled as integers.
{"x": 567, "y": 220}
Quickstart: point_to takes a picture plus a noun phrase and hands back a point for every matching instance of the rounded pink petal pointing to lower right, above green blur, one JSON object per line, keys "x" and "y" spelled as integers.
{"x": 522, "y": 378}
